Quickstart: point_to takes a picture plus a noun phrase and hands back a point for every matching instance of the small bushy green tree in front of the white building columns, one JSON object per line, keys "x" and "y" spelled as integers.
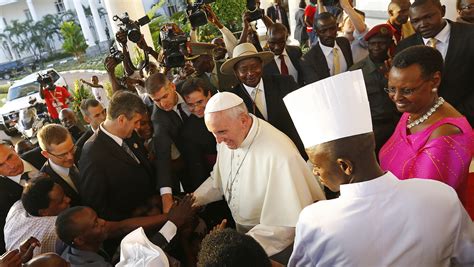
{"x": 74, "y": 41}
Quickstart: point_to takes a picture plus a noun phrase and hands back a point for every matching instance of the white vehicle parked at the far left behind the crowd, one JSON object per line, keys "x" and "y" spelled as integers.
{"x": 19, "y": 94}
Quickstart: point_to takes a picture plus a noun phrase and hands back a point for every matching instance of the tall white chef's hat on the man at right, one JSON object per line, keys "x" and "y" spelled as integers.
{"x": 330, "y": 109}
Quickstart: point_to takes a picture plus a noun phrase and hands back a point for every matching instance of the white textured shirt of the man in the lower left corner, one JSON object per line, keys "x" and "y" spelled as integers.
{"x": 19, "y": 226}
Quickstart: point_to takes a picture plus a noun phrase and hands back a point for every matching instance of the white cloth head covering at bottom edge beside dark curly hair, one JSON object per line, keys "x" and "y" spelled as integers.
{"x": 137, "y": 250}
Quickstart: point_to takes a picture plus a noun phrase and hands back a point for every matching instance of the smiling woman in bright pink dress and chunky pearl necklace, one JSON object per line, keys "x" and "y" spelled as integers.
{"x": 432, "y": 139}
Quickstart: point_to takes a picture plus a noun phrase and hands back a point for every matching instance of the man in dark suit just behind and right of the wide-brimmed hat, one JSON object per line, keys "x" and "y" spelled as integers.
{"x": 287, "y": 59}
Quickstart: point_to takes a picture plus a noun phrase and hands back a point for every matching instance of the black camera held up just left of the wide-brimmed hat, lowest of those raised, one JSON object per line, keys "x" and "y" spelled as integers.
{"x": 173, "y": 41}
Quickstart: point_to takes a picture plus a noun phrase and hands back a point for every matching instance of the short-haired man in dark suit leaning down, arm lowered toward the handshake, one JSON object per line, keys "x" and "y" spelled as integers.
{"x": 169, "y": 113}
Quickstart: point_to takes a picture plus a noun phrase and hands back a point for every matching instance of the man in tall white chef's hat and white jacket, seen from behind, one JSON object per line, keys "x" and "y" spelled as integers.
{"x": 378, "y": 220}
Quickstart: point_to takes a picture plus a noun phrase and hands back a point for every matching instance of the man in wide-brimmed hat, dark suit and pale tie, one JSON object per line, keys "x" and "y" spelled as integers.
{"x": 262, "y": 94}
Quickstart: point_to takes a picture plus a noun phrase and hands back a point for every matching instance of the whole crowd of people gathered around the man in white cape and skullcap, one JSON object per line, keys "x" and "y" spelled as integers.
{"x": 253, "y": 153}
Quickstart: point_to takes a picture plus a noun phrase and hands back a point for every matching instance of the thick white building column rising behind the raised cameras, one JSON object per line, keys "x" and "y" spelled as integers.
{"x": 135, "y": 11}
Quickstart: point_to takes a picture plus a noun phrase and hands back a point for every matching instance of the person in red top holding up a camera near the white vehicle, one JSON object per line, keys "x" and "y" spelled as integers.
{"x": 56, "y": 97}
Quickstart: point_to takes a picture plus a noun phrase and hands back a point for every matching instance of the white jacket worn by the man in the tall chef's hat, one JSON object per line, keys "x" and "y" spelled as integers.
{"x": 386, "y": 222}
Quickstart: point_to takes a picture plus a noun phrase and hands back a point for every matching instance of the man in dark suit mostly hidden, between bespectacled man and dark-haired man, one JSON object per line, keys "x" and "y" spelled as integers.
{"x": 94, "y": 114}
